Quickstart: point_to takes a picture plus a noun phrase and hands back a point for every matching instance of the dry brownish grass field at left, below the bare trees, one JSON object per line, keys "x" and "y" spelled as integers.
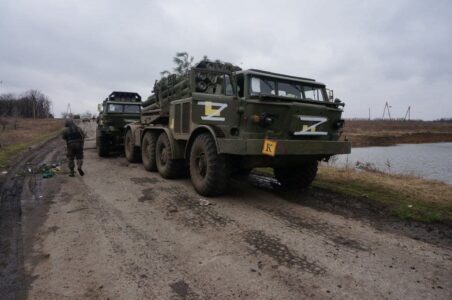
{"x": 27, "y": 133}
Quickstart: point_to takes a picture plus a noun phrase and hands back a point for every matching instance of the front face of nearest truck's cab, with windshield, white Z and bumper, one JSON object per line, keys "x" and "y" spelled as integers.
{"x": 296, "y": 113}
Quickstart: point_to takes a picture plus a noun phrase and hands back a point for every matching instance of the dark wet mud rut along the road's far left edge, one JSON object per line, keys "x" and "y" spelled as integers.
{"x": 13, "y": 281}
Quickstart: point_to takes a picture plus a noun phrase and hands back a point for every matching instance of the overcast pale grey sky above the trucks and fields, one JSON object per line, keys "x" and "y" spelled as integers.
{"x": 369, "y": 52}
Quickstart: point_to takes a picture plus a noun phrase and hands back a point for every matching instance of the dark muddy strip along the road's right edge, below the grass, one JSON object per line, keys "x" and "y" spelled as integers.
{"x": 357, "y": 209}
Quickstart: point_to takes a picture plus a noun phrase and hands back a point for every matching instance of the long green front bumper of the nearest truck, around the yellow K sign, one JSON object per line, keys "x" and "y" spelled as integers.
{"x": 283, "y": 147}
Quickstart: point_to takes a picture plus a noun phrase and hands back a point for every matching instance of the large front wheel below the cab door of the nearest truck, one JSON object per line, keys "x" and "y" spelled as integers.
{"x": 209, "y": 171}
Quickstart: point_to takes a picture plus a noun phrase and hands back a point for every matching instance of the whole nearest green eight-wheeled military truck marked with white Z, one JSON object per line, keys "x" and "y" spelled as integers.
{"x": 218, "y": 119}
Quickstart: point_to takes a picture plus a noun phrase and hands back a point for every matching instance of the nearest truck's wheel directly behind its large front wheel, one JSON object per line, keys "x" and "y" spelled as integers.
{"x": 168, "y": 168}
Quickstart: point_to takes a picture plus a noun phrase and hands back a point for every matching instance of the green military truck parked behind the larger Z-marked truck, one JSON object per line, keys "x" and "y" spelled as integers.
{"x": 117, "y": 110}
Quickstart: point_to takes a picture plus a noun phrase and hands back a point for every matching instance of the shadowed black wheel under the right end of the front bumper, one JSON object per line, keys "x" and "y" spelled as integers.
{"x": 301, "y": 177}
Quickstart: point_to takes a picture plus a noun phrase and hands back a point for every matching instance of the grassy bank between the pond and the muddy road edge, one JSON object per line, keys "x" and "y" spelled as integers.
{"x": 406, "y": 197}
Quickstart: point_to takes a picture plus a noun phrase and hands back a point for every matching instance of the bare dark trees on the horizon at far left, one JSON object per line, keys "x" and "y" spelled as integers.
{"x": 31, "y": 104}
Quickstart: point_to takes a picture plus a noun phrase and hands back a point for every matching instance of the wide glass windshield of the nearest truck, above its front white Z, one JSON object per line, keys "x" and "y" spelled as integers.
{"x": 296, "y": 90}
